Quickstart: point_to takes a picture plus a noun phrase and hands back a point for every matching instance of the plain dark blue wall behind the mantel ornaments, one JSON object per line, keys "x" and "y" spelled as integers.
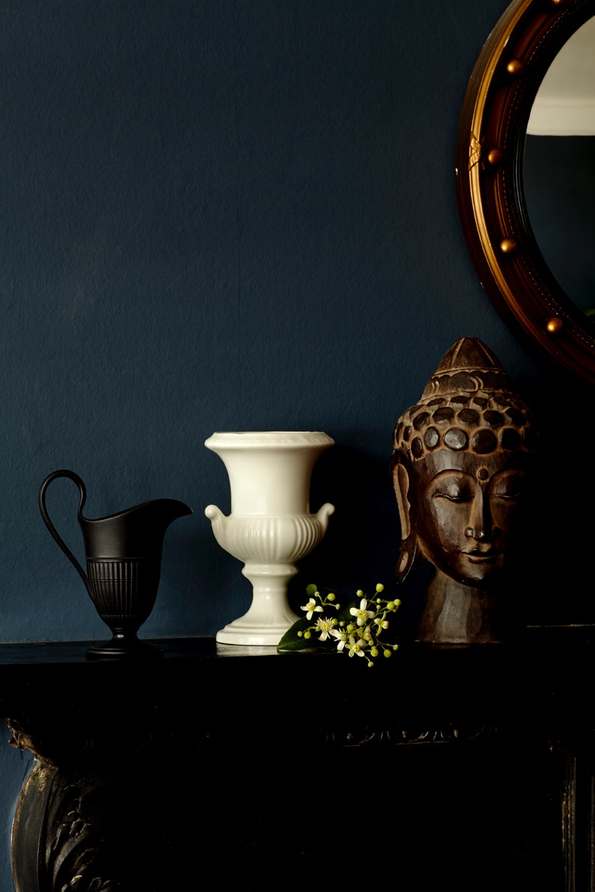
{"x": 227, "y": 215}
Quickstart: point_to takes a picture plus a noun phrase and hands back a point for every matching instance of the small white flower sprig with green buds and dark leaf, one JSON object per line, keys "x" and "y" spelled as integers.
{"x": 361, "y": 629}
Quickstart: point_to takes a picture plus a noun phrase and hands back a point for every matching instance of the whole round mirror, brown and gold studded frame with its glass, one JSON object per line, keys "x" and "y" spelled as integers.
{"x": 526, "y": 173}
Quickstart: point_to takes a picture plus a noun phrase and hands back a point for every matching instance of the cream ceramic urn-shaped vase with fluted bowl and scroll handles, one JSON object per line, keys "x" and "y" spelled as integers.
{"x": 270, "y": 526}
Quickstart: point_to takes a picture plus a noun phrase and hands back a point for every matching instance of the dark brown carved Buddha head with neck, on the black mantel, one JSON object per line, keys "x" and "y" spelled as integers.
{"x": 460, "y": 460}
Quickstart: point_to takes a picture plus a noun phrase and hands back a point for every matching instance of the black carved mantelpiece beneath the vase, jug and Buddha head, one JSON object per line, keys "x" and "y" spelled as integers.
{"x": 467, "y": 768}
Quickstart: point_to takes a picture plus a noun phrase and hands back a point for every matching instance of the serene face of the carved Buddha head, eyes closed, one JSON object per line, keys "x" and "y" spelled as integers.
{"x": 464, "y": 511}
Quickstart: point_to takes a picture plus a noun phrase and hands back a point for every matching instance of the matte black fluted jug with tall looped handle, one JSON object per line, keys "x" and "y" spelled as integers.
{"x": 123, "y": 554}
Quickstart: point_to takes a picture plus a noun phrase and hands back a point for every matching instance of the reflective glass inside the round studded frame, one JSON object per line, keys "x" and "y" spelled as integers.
{"x": 559, "y": 168}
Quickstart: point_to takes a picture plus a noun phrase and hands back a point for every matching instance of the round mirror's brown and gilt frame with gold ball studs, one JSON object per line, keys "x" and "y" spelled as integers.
{"x": 489, "y": 170}
